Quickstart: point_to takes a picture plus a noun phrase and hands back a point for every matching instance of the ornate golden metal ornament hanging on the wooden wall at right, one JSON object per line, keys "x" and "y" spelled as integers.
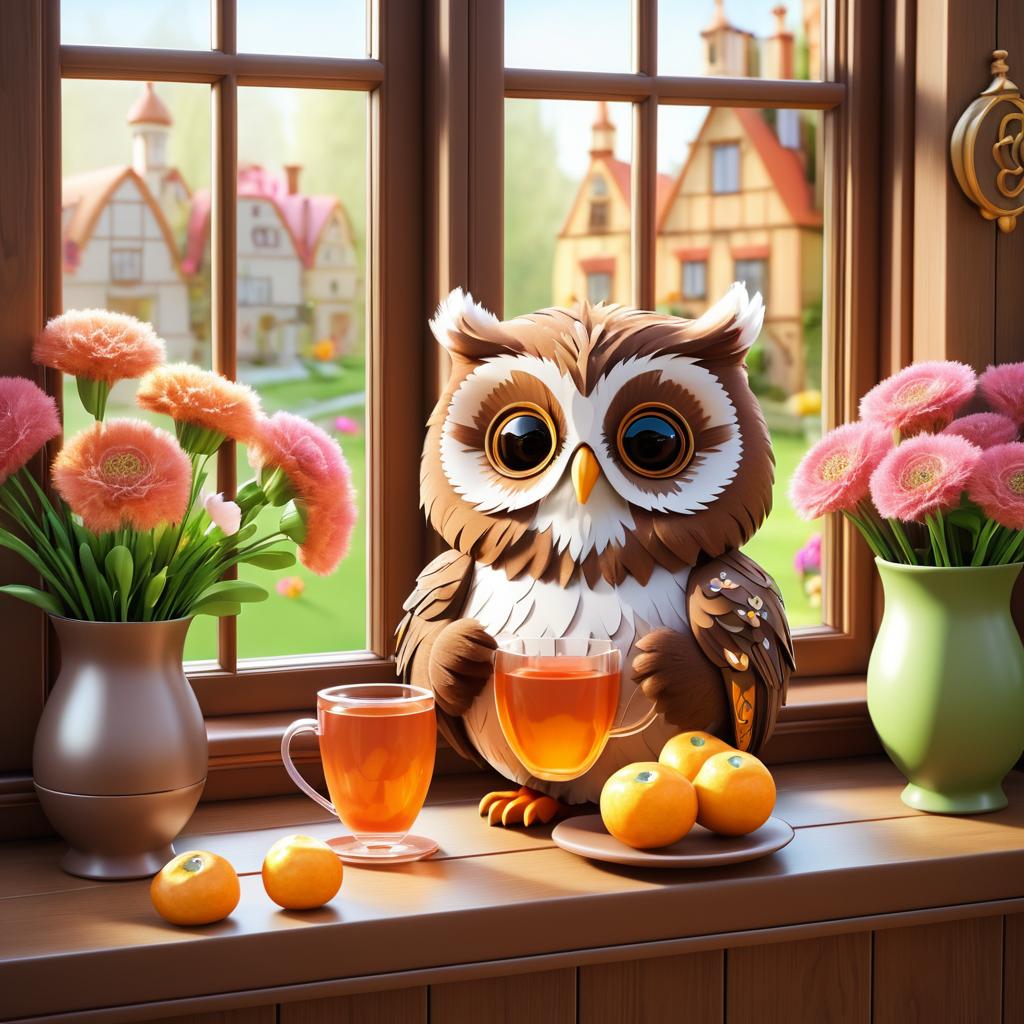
{"x": 993, "y": 126}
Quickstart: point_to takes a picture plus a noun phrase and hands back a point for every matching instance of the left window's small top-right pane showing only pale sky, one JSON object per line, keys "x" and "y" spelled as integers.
{"x": 310, "y": 28}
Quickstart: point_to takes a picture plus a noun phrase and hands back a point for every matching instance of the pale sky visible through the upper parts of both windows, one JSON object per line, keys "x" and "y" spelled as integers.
{"x": 580, "y": 35}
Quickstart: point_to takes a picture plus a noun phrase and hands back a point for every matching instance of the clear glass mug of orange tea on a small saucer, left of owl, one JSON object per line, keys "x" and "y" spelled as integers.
{"x": 377, "y": 743}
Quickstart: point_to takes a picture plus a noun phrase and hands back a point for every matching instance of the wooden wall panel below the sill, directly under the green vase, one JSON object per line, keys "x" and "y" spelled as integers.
{"x": 949, "y": 972}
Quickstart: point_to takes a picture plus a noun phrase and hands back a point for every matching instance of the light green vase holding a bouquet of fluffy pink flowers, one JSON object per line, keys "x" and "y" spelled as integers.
{"x": 940, "y": 499}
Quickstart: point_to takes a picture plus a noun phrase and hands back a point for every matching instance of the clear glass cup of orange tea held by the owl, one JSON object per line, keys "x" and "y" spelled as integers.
{"x": 557, "y": 702}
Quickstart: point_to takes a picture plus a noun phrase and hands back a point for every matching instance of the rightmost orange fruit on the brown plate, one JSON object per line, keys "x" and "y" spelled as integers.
{"x": 736, "y": 794}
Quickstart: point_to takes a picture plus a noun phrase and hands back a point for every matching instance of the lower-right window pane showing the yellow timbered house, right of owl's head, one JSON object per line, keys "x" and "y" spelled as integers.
{"x": 766, "y": 231}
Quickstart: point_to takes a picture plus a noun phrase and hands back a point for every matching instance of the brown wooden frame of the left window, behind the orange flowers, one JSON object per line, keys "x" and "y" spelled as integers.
{"x": 392, "y": 78}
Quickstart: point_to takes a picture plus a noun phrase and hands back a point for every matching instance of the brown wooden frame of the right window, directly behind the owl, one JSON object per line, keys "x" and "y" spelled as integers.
{"x": 466, "y": 220}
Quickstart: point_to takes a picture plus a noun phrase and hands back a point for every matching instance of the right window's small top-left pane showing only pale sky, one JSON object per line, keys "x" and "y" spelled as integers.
{"x": 569, "y": 35}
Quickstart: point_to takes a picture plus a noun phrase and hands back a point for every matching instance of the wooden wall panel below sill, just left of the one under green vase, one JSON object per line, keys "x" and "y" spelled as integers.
{"x": 827, "y": 979}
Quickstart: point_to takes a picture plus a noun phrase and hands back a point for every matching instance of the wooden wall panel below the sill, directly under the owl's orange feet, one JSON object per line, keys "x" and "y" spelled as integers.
{"x": 547, "y": 998}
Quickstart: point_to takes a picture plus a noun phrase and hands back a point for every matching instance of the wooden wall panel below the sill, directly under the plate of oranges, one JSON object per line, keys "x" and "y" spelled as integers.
{"x": 663, "y": 991}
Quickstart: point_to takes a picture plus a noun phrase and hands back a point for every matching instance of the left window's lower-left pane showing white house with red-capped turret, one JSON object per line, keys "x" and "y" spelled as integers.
{"x": 136, "y": 163}
